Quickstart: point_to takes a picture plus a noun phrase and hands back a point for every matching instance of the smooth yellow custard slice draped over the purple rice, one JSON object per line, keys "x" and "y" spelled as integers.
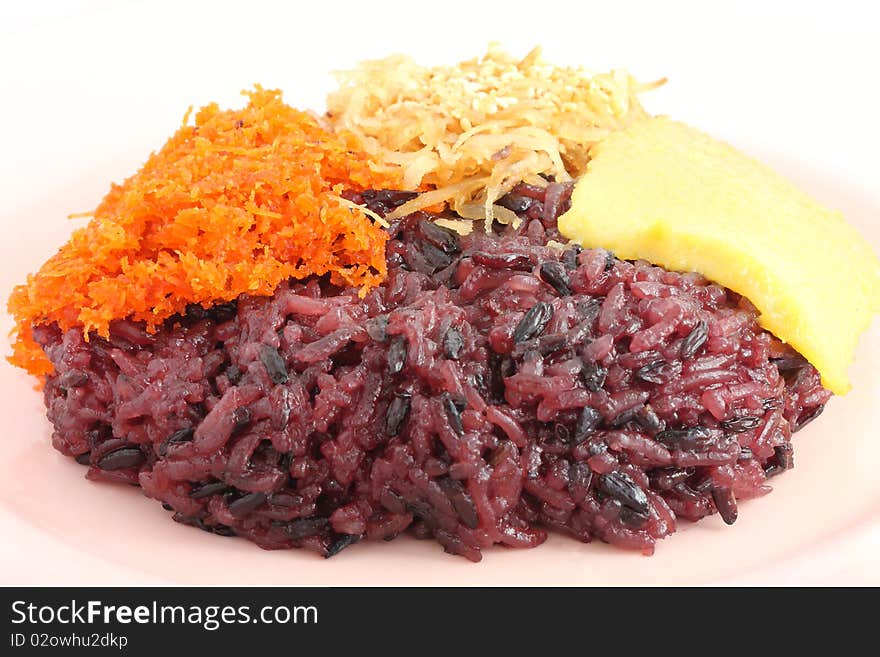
{"x": 665, "y": 192}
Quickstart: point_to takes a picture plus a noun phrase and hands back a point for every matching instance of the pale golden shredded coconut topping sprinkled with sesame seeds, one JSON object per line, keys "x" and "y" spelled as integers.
{"x": 475, "y": 130}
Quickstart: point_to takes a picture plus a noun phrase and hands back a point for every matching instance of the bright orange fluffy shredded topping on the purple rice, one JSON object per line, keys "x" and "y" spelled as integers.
{"x": 237, "y": 203}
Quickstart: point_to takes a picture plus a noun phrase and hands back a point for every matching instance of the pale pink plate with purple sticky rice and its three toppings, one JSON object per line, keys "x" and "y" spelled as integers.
{"x": 488, "y": 320}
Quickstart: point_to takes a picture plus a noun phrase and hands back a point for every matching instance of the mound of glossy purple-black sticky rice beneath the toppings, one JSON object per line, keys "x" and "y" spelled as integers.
{"x": 496, "y": 386}
